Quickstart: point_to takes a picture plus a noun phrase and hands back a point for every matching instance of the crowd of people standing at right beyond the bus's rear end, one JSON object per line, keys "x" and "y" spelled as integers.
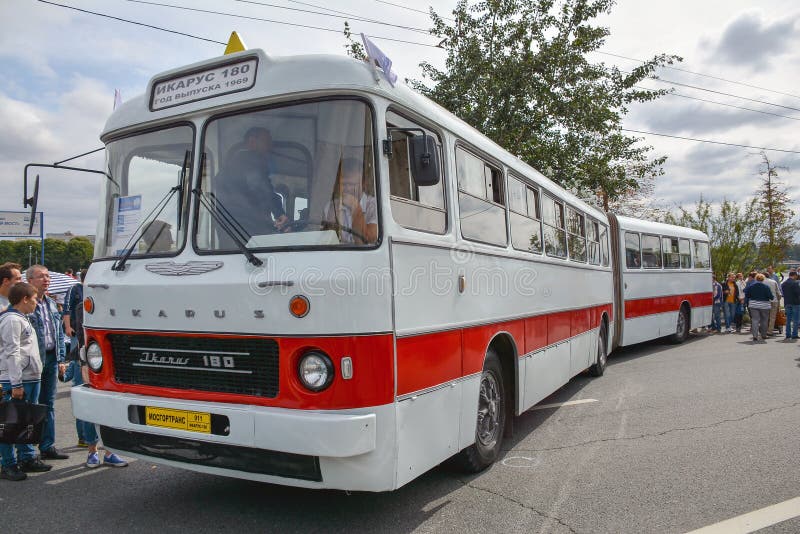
{"x": 760, "y": 297}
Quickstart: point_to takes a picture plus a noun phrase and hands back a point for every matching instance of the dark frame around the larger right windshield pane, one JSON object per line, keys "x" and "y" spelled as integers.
{"x": 291, "y": 248}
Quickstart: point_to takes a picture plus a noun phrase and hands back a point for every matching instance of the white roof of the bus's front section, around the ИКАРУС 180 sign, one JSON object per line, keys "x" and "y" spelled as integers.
{"x": 313, "y": 75}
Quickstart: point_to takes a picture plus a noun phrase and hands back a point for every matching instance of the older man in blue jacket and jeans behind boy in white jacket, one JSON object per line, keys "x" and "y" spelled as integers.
{"x": 46, "y": 320}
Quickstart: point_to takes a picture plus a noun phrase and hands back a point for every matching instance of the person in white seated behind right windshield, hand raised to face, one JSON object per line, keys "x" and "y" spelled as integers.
{"x": 352, "y": 211}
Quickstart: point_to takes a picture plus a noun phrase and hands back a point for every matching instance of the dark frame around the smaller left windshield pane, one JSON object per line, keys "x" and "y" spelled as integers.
{"x": 187, "y": 203}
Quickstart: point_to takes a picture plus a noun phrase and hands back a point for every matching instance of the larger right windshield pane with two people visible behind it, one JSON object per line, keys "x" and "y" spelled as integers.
{"x": 290, "y": 176}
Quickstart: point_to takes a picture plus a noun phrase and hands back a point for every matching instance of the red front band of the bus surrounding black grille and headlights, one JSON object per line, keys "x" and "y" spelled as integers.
{"x": 372, "y": 383}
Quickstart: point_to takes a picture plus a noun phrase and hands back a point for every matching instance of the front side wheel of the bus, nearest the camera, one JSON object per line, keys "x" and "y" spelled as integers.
{"x": 491, "y": 418}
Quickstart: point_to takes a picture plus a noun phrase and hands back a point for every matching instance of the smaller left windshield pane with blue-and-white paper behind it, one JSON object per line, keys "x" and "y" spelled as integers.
{"x": 145, "y": 199}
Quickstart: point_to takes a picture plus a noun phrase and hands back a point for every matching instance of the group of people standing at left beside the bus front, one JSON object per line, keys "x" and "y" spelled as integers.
{"x": 40, "y": 343}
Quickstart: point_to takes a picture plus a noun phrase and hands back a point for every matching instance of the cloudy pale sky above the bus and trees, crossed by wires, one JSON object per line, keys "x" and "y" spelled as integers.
{"x": 59, "y": 68}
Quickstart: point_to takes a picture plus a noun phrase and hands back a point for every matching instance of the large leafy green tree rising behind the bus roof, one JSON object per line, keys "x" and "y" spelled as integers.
{"x": 518, "y": 71}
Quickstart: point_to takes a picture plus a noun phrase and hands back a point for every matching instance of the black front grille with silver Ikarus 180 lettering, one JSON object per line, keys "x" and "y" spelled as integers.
{"x": 246, "y": 366}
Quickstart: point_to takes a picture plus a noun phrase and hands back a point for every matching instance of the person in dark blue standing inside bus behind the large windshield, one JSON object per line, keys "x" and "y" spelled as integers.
{"x": 246, "y": 187}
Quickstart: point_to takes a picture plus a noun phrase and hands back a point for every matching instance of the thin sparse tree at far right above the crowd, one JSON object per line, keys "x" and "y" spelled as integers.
{"x": 779, "y": 226}
